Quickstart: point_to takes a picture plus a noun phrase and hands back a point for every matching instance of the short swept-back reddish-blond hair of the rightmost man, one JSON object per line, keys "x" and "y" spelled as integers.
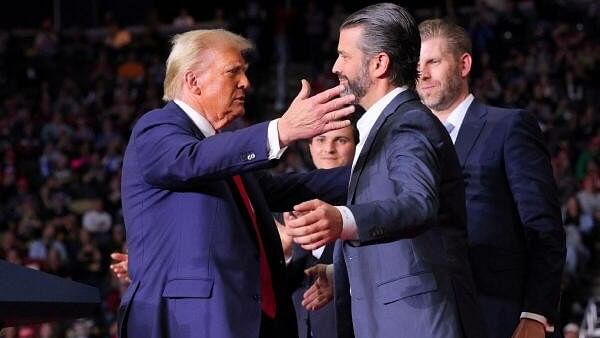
{"x": 457, "y": 39}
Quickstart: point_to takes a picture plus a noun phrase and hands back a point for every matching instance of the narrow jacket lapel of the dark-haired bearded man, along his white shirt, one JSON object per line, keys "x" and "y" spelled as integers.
{"x": 407, "y": 95}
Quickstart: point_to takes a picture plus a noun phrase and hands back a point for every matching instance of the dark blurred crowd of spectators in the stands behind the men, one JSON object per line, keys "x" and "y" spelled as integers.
{"x": 70, "y": 94}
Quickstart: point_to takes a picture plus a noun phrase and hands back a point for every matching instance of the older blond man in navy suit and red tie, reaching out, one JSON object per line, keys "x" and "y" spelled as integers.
{"x": 205, "y": 259}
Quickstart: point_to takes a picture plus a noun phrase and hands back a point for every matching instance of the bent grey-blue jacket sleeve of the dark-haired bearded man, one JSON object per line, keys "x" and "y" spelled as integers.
{"x": 413, "y": 168}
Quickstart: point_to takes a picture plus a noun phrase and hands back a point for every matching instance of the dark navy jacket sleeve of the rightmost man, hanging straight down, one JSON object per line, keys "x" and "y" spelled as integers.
{"x": 529, "y": 175}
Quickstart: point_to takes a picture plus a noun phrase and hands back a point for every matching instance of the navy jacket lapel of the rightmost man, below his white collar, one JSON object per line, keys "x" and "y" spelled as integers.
{"x": 470, "y": 129}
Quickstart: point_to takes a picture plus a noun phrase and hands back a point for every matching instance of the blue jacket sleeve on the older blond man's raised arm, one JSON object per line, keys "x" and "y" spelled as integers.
{"x": 171, "y": 156}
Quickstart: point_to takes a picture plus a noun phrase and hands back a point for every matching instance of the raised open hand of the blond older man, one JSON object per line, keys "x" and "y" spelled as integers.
{"x": 310, "y": 116}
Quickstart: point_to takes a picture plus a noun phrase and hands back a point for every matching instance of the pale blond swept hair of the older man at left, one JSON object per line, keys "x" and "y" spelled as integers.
{"x": 187, "y": 51}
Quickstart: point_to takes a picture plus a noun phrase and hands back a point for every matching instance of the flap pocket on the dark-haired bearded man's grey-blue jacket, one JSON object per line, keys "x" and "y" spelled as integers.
{"x": 407, "y": 286}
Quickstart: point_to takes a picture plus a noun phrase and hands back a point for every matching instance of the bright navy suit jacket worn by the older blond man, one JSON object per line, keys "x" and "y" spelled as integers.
{"x": 193, "y": 257}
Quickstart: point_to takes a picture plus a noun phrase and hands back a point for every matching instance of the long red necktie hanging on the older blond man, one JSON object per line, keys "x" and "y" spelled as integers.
{"x": 267, "y": 300}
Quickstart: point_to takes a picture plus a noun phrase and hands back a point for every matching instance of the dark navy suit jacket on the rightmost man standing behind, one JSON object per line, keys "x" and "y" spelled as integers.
{"x": 516, "y": 238}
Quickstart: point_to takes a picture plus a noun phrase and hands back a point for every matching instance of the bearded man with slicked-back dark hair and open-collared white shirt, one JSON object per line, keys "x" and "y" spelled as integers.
{"x": 401, "y": 267}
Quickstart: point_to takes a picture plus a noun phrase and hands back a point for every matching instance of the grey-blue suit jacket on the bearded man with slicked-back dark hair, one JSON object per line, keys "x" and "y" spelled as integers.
{"x": 408, "y": 274}
